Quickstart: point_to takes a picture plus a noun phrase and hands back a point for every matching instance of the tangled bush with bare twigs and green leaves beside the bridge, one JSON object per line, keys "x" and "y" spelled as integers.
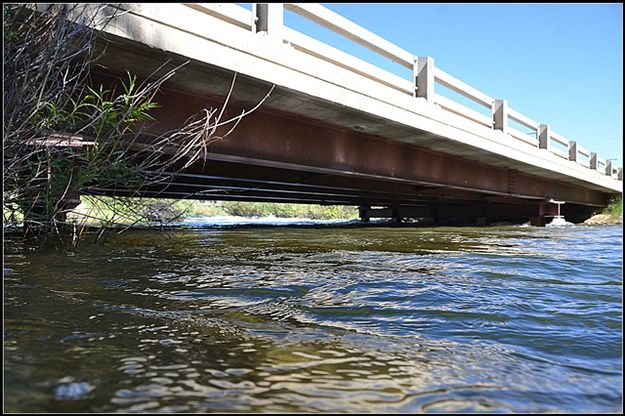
{"x": 60, "y": 134}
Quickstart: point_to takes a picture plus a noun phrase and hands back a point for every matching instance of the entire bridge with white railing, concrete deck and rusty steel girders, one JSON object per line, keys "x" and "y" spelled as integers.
{"x": 339, "y": 130}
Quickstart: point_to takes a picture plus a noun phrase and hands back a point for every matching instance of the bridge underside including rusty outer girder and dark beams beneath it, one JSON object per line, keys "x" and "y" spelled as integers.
{"x": 273, "y": 156}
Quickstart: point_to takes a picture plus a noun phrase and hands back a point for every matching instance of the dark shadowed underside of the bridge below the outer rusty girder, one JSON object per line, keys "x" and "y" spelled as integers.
{"x": 241, "y": 181}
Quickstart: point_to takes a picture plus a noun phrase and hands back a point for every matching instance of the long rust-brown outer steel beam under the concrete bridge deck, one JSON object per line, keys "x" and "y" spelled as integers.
{"x": 279, "y": 139}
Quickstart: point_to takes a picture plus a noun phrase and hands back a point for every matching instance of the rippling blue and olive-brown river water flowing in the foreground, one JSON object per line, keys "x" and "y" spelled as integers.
{"x": 318, "y": 319}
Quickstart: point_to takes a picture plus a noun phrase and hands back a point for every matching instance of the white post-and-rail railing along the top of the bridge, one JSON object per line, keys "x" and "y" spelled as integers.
{"x": 268, "y": 18}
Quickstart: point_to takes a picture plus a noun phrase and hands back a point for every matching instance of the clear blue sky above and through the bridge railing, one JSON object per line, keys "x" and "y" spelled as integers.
{"x": 559, "y": 64}
